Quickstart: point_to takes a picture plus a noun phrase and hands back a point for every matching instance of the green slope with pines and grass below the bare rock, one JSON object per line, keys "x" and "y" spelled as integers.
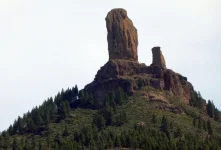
{"x": 72, "y": 121}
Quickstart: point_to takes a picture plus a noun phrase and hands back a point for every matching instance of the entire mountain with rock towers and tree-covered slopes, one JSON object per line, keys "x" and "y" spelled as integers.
{"x": 128, "y": 105}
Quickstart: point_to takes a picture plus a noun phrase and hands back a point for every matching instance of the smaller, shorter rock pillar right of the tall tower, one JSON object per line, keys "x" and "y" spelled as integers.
{"x": 158, "y": 59}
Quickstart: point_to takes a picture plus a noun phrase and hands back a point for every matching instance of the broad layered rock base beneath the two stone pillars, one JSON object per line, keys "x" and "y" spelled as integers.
{"x": 127, "y": 75}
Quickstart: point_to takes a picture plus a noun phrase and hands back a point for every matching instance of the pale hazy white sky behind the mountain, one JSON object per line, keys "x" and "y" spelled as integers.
{"x": 47, "y": 45}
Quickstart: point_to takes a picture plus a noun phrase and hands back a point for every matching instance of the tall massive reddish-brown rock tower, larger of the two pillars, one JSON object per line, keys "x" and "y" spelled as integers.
{"x": 122, "y": 36}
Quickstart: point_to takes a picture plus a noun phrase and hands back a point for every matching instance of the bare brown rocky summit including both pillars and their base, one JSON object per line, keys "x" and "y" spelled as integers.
{"x": 123, "y": 69}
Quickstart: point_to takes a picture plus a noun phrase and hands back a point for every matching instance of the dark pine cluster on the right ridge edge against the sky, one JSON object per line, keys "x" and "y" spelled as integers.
{"x": 198, "y": 102}
